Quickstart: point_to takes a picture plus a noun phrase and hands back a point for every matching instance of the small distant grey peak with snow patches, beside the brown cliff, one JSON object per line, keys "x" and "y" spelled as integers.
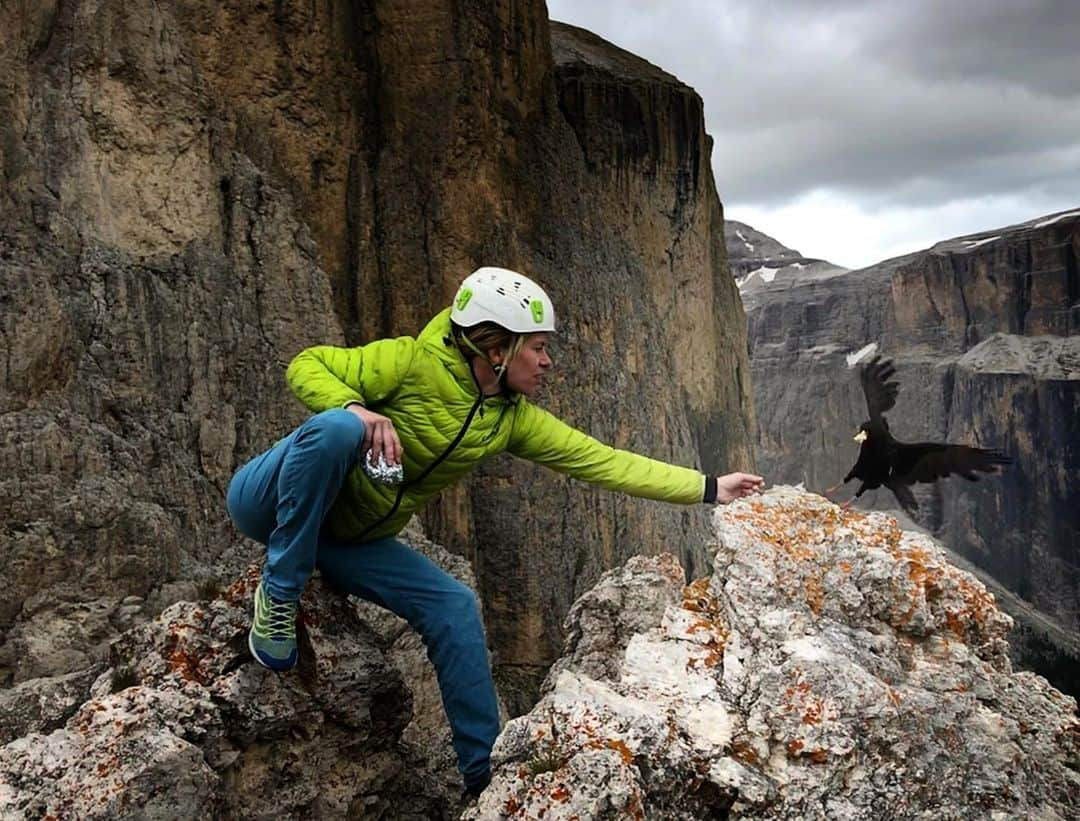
{"x": 757, "y": 260}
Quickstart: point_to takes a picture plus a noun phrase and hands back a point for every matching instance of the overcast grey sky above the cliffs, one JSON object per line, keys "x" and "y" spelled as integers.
{"x": 857, "y": 131}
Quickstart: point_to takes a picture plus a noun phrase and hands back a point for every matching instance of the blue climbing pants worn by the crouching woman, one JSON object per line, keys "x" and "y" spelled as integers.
{"x": 281, "y": 500}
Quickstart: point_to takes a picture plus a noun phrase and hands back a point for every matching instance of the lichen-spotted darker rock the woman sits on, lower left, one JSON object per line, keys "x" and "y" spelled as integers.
{"x": 183, "y": 724}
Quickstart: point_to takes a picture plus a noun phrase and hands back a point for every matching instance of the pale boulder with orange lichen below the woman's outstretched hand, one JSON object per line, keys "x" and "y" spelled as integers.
{"x": 832, "y": 667}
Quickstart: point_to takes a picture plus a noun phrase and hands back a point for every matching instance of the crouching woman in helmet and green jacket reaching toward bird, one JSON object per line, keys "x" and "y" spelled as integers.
{"x": 433, "y": 409}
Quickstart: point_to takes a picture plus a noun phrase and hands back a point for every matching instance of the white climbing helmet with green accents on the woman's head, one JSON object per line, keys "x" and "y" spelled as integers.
{"x": 505, "y": 298}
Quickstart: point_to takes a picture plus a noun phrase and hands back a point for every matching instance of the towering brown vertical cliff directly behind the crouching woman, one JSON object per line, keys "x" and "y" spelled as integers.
{"x": 179, "y": 223}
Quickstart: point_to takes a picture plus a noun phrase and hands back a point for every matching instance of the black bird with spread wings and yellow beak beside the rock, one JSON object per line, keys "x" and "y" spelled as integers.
{"x": 884, "y": 461}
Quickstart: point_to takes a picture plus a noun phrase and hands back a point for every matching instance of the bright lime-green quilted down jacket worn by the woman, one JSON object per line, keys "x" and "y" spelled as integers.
{"x": 426, "y": 388}
